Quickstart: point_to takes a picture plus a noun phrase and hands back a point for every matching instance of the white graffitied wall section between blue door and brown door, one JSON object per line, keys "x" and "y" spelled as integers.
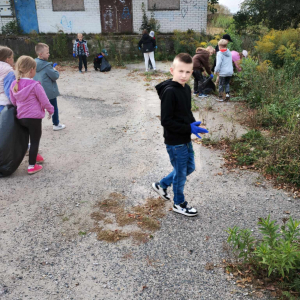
{"x": 87, "y": 21}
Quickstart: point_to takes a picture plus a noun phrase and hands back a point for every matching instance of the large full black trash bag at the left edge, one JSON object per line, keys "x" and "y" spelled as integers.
{"x": 14, "y": 140}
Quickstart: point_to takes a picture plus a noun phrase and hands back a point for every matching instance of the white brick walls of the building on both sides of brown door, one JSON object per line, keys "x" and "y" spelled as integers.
{"x": 192, "y": 15}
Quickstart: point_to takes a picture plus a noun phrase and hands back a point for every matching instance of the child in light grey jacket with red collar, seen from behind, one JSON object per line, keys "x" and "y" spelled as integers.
{"x": 224, "y": 68}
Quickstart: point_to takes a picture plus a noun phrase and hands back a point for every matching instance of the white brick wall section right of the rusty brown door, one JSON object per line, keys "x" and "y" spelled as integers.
{"x": 192, "y": 15}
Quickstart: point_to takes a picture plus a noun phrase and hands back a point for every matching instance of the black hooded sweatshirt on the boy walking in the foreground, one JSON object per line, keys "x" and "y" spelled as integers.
{"x": 176, "y": 114}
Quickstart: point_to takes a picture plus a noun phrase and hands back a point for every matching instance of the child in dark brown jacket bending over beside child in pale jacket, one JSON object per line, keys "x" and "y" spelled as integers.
{"x": 201, "y": 63}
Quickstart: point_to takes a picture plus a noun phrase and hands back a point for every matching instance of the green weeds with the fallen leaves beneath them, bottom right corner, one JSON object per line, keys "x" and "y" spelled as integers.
{"x": 275, "y": 256}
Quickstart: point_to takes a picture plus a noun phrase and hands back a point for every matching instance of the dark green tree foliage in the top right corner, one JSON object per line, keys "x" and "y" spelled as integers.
{"x": 276, "y": 14}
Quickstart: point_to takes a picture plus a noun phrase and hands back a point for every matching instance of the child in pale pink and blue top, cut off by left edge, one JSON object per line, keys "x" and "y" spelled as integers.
{"x": 7, "y": 75}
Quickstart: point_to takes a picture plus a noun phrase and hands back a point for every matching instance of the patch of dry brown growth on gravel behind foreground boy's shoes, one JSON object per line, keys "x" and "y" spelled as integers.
{"x": 112, "y": 211}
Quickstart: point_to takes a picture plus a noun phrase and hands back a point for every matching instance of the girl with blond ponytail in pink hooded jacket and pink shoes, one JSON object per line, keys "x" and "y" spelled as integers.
{"x": 31, "y": 101}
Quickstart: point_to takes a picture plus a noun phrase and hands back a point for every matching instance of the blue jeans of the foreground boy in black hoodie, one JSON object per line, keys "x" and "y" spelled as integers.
{"x": 183, "y": 162}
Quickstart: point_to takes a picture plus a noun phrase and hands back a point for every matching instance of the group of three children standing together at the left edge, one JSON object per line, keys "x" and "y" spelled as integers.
{"x": 32, "y": 89}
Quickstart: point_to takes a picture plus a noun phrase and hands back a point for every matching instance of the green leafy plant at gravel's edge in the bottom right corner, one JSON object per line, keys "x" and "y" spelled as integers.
{"x": 277, "y": 253}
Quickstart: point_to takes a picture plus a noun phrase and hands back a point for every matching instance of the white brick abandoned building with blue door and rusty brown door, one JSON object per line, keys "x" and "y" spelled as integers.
{"x": 104, "y": 16}
